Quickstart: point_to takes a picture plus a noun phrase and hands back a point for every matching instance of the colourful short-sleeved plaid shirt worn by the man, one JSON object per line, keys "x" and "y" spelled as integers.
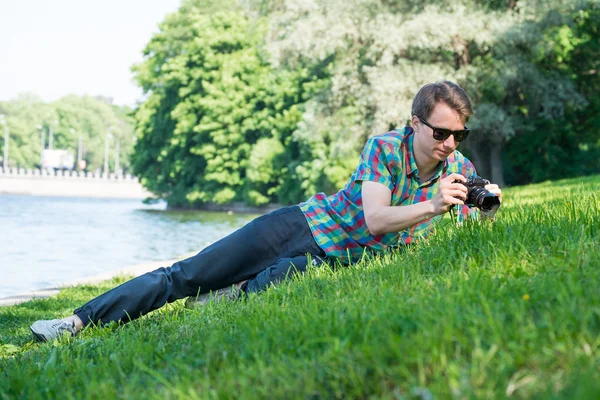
{"x": 338, "y": 221}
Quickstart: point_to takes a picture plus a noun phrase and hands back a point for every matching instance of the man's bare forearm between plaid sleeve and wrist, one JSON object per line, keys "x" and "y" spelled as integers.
{"x": 398, "y": 218}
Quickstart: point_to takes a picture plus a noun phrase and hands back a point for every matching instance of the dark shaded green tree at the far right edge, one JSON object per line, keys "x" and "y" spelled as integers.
{"x": 569, "y": 144}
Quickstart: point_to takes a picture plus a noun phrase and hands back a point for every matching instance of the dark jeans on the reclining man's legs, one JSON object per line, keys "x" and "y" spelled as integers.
{"x": 264, "y": 251}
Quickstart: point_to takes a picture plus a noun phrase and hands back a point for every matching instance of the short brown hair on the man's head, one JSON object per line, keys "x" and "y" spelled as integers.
{"x": 442, "y": 92}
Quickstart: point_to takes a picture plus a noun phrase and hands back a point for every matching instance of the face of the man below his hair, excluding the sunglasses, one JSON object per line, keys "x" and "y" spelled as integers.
{"x": 425, "y": 145}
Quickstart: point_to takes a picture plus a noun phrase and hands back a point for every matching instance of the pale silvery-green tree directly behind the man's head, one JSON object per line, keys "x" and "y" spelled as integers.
{"x": 380, "y": 53}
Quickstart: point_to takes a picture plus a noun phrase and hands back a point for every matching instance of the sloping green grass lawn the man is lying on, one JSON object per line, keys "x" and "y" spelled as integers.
{"x": 509, "y": 309}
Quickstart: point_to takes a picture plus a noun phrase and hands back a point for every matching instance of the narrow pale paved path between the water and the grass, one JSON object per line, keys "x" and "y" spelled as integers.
{"x": 135, "y": 270}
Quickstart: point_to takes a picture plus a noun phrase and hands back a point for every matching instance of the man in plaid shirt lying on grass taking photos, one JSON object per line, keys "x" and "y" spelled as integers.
{"x": 405, "y": 181}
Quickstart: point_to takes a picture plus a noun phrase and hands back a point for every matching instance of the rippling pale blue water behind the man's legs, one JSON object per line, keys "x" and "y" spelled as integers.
{"x": 49, "y": 241}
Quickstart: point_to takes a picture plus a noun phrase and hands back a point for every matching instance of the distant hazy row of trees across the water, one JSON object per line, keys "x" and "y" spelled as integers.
{"x": 30, "y": 120}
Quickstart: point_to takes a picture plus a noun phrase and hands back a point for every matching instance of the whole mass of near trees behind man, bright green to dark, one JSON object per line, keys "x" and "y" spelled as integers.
{"x": 272, "y": 100}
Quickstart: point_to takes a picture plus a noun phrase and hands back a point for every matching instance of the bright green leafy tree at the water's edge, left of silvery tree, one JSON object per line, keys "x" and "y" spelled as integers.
{"x": 218, "y": 121}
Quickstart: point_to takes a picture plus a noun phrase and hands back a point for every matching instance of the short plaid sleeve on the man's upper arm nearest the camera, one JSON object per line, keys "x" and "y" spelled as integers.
{"x": 376, "y": 163}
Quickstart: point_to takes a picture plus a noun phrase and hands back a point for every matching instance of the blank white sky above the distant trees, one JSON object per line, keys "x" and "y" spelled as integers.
{"x": 52, "y": 48}
